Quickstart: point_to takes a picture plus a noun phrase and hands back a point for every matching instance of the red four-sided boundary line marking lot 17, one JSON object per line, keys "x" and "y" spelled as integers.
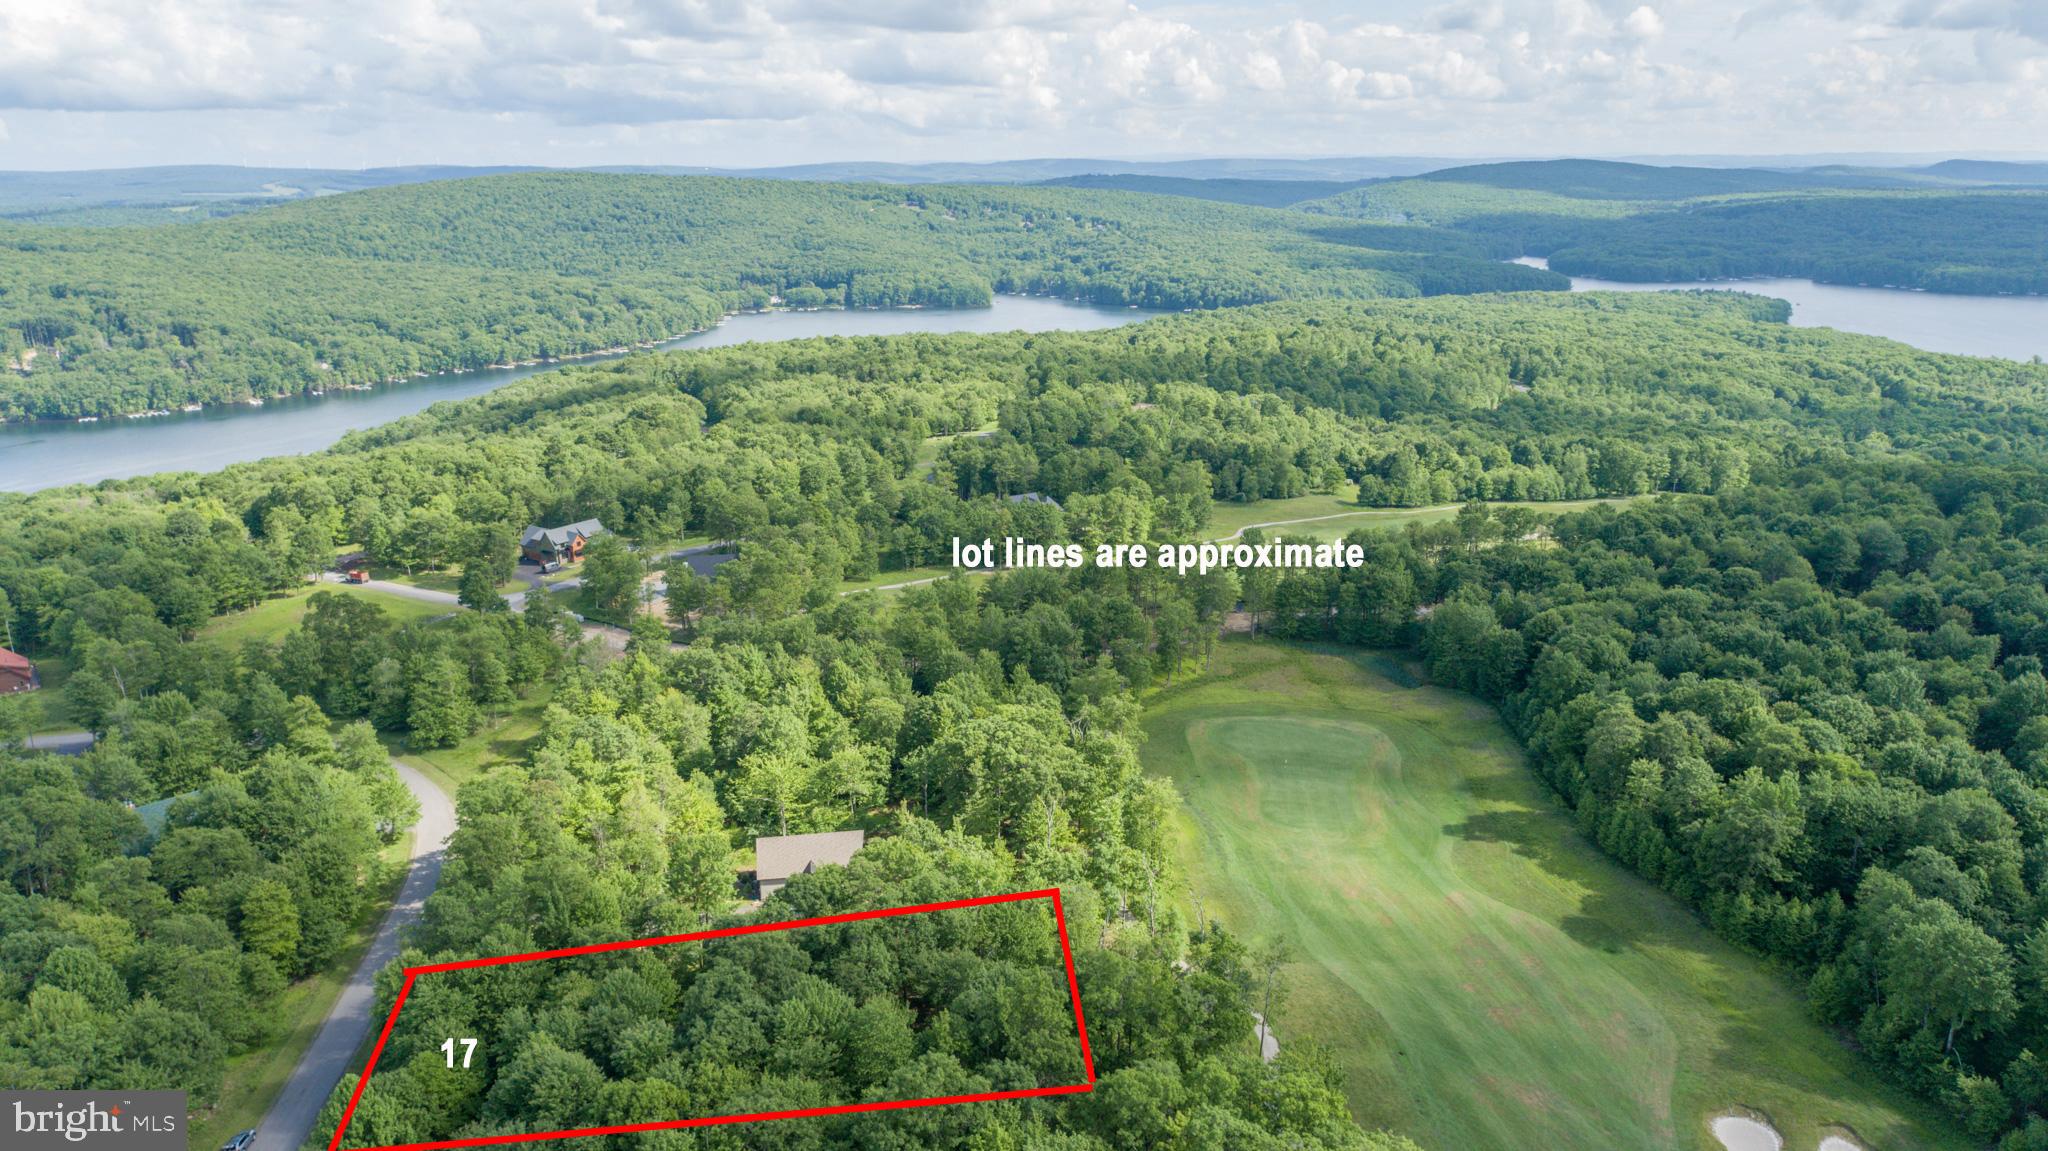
{"x": 1066, "y": 949}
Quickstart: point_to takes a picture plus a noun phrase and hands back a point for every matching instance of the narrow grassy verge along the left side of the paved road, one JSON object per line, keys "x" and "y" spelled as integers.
{"x": 257, "y": 1076}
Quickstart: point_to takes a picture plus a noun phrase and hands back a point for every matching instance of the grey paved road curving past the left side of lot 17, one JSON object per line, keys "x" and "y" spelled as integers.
{"x": 333, "y": 1052}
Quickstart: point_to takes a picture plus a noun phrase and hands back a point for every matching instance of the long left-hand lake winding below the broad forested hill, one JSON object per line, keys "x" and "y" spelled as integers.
{"x": 52, "y": 454}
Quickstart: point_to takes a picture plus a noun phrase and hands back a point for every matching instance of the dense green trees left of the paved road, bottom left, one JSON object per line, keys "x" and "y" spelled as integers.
{"x": 144, "y": 960}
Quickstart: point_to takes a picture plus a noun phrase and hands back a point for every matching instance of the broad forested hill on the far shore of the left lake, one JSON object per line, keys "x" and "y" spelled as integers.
{"x": 386, "y": 284}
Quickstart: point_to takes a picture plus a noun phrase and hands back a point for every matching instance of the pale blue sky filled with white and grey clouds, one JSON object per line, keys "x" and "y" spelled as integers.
{"x": 761, "y": 83}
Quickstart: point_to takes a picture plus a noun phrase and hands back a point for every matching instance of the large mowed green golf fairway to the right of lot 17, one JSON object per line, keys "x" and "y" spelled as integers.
{"x": 1482, "y": 972}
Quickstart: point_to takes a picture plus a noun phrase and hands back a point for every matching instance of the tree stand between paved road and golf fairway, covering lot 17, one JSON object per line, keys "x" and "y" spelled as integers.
{"x": 624, "y": 824}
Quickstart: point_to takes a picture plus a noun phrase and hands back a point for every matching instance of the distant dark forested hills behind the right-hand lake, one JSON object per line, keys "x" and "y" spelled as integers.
{"x": 1631, "y": 222}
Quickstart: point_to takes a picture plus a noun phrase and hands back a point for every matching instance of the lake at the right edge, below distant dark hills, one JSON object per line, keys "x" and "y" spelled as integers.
{"x": 2010, "y": 327}
